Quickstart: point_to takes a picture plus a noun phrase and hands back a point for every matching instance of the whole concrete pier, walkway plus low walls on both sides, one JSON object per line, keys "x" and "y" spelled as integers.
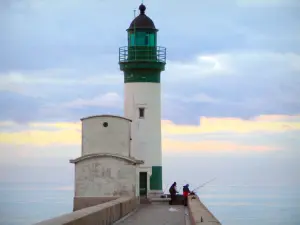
{"x": 128, "y": 211}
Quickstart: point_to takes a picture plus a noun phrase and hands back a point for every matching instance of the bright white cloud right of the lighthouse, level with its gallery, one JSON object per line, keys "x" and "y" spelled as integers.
{"x": 234, "y": 65}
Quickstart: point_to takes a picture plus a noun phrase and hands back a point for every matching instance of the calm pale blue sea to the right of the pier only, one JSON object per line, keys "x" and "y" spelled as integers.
{"x": 242, "y": 205}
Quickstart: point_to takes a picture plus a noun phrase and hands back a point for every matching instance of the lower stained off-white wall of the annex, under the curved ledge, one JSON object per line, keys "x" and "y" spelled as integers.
{"x": 104, "y": 176}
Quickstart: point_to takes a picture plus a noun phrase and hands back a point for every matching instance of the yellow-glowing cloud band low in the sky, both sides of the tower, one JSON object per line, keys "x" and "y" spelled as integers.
{"x": 225, "y": 134}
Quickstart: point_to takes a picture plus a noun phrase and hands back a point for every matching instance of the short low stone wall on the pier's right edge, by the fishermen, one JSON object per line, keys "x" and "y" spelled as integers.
{"x": 199, "y": 214}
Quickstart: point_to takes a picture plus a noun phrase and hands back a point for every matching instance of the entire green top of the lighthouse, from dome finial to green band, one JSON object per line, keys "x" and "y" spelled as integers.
{"x": 142, "y": 60}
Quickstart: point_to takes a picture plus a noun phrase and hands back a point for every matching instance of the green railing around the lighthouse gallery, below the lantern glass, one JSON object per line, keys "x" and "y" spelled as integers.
{"x": 142, "y": 54}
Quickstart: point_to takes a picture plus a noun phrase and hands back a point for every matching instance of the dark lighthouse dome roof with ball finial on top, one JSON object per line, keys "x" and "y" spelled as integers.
{"x": 142, "y": 21}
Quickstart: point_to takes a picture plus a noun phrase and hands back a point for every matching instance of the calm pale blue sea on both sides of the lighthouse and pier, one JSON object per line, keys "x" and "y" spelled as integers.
{"x": 25, "y": 204}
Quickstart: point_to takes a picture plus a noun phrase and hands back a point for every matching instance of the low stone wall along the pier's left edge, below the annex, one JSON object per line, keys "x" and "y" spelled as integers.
{"x": 103, "y": 214}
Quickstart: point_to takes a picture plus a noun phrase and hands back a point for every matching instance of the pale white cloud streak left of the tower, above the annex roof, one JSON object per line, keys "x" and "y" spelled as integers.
{"x": 47, "y": 82}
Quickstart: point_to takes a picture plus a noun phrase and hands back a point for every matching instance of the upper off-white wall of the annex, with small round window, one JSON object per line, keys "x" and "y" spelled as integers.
{"x": 115, "y": 138}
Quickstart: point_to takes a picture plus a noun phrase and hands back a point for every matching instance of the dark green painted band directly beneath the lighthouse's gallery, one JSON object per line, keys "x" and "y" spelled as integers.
{"x": 132, "y": 76}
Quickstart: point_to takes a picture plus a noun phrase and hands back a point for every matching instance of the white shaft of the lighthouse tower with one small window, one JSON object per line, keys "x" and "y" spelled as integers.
{"x": 146, "y": 133}
